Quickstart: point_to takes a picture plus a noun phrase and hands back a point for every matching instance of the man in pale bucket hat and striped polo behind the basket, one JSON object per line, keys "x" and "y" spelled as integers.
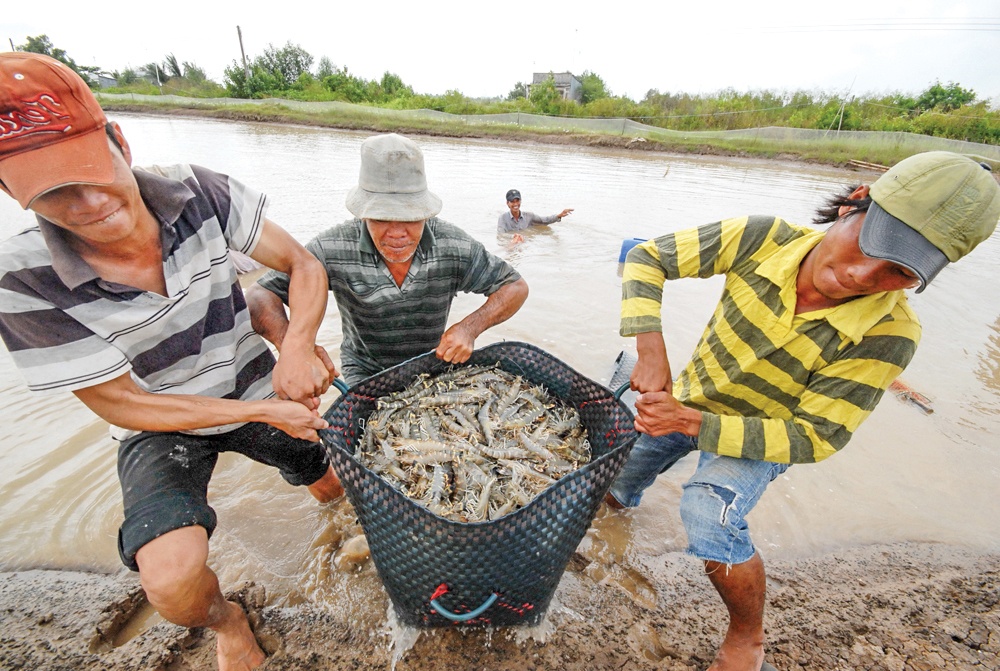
{"x": 395, "y": 269}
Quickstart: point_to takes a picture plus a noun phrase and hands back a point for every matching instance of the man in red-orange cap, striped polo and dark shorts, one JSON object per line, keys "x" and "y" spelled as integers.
{"x": 124, "y": 294}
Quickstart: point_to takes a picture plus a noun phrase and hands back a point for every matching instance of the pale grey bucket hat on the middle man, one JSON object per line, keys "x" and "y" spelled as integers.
{"x": 393, "y": 184}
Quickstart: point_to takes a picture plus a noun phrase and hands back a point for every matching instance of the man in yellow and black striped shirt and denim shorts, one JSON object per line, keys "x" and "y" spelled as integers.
{"x": 811, "y": 329}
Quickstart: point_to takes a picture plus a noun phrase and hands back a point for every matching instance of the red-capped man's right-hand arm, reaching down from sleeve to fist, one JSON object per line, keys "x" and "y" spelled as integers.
{"x": 300, "y": 374}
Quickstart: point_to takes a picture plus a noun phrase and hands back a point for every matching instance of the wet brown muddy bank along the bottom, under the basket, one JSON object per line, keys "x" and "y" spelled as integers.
{"x": 892, "y": 607}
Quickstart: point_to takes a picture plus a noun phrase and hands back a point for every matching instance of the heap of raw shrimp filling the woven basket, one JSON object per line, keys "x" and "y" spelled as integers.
{"x": 474, "y": 443}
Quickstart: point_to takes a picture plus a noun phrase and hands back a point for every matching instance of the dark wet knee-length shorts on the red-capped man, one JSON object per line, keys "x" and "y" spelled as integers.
{"x": 164, "y": 477}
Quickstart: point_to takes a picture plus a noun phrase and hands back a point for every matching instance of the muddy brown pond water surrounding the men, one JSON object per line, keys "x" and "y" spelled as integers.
{"x": 905, "y": 476}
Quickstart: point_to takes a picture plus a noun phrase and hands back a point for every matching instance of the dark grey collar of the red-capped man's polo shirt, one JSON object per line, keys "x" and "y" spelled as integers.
{"x": 165, "y": 198}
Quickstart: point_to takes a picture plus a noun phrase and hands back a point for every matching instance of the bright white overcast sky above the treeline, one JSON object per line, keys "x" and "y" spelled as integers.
{"x": 849, "y": 47}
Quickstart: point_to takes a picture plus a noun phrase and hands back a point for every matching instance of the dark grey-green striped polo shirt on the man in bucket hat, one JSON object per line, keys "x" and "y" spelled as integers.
{"x": 384, "y": 324}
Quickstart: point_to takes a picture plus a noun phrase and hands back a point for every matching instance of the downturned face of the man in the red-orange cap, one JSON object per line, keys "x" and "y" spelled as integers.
{"x": 96, "y": 213}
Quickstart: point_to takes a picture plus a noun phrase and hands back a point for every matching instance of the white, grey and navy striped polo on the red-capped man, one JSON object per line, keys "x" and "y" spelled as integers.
{"x": 68, "y": 329}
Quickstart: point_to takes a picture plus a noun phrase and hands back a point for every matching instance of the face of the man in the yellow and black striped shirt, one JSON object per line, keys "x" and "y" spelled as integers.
{"x": 839, "y": 270}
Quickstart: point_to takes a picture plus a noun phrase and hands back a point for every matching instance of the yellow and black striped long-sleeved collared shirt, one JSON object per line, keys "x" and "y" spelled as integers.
{"x": 772, "y": 385}
